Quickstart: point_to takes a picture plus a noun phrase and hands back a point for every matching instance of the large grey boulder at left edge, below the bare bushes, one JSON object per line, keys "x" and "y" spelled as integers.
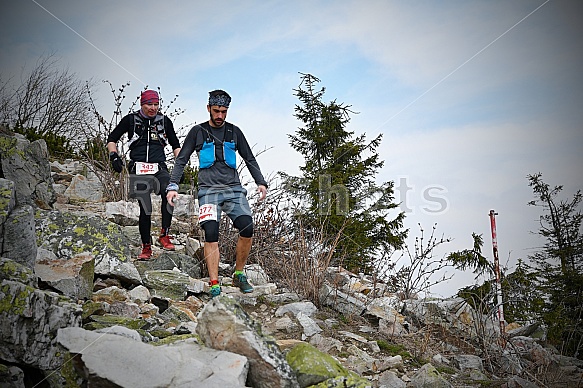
{"x": 27, "y": 165}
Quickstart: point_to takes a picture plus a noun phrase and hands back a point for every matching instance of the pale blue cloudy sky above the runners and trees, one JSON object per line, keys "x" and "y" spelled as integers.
{"x": 470, "y": 96}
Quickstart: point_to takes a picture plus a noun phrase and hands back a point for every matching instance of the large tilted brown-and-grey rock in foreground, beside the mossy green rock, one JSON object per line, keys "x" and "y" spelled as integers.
{"x": 224, "y": 325}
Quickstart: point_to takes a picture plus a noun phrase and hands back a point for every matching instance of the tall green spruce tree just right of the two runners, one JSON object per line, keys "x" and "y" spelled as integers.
{"x": 337, "y": 182}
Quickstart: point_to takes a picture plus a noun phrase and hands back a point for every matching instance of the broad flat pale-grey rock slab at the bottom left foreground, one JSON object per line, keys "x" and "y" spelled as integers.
{"x": 106, "y": 359}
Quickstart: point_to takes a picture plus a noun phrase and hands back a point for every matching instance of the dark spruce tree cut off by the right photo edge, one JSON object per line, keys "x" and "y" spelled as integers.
{"x": 559, "y": 265}
